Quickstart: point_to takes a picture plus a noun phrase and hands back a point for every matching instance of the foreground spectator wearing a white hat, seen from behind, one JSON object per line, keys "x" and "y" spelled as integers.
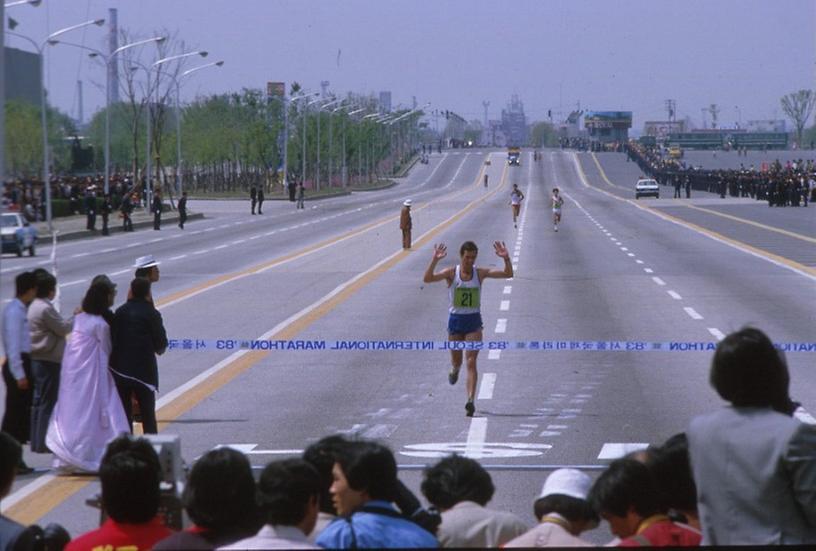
{"x": 563, "y": 512}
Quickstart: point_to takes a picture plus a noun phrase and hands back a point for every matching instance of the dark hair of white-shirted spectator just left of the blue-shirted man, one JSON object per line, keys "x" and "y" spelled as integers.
{"x": 285, "y": 489}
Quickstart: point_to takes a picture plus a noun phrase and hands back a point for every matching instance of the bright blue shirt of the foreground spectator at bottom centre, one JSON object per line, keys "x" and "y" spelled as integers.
{"x": 373, "y": 530}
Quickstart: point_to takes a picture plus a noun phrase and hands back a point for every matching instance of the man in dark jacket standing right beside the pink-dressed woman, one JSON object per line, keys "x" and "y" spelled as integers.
{"x": 138, "y": 335}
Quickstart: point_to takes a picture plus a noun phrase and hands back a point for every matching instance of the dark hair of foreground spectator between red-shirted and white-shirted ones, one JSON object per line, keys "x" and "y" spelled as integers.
{"x": 220, "y": 493}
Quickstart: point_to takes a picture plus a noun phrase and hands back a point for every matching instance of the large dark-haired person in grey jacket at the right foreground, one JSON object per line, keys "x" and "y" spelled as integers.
{"x": 755, "y": 465}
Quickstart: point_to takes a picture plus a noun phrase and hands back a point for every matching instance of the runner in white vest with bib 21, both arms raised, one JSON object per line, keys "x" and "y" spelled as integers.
{"x": 465, "y": 320}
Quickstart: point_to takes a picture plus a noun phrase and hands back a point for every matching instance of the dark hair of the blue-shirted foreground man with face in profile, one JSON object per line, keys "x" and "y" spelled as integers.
{"x": 370, "y": 467}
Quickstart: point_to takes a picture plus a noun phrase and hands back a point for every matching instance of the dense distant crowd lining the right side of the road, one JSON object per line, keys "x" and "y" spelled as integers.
{"x": 790, "y": 184}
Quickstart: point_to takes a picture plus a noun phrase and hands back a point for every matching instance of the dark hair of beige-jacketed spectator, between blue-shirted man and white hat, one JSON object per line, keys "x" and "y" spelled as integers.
{"x": 454, "y": 479}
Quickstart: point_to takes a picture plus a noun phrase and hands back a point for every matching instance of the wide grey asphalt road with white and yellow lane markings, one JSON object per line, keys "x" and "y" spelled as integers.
{"x": 618, "y": 270}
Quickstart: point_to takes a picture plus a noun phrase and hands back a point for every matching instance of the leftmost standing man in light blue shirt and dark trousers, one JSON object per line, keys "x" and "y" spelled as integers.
{"x": 17, "y": 365}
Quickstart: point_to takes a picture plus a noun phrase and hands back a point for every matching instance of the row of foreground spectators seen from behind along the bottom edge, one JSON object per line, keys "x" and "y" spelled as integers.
{"x": 744, "y": 474}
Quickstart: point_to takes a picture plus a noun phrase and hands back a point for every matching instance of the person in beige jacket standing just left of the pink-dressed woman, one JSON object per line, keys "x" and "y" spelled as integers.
{"x": 48, "y": 332}
